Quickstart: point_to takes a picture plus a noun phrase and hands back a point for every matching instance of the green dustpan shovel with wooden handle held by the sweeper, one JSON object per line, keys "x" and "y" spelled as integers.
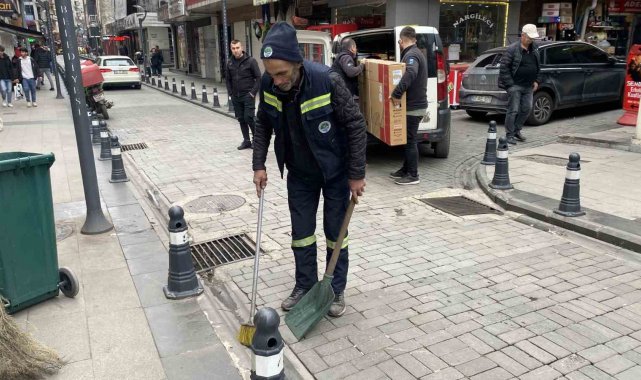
{"x": 316, "y": 303}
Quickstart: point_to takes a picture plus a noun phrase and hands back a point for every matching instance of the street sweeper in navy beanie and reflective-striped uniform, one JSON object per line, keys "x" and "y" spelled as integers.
{"x": 321, "y": 138}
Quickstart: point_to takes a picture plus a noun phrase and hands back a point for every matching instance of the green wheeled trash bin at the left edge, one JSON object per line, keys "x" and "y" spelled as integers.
{"x": 29, "y": 270}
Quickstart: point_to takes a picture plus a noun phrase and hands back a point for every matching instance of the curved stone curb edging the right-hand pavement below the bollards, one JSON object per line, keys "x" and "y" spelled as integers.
{"x": 580, "y": 225}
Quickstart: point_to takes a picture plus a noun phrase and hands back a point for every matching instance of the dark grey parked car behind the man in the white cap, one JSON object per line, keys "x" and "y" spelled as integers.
{"x": 574, "y": 74}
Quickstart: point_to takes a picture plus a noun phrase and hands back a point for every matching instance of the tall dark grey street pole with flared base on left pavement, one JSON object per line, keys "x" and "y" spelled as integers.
{"x": 95, "y": 222}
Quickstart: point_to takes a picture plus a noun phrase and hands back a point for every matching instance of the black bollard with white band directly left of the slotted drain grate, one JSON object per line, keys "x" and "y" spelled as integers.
{"x": 182, "y": 281}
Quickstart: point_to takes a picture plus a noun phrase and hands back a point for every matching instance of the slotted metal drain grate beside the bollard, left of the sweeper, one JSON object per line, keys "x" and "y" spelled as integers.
{"x": 214, "y": 253}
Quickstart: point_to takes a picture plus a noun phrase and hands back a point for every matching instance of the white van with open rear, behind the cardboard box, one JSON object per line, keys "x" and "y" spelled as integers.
{"x": 382, "y": 43}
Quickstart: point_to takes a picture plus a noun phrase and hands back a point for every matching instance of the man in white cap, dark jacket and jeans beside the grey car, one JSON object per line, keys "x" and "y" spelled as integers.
{"x": 520, "y": 77}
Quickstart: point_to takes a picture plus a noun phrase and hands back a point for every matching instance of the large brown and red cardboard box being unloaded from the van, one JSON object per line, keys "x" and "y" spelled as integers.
{"x": 384, "y": 121}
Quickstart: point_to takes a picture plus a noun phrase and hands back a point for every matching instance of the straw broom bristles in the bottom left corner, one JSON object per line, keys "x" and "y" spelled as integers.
{"x": 21, "y": 357}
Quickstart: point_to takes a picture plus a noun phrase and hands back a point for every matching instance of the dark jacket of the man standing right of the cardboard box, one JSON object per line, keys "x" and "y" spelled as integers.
{"x": 414, "y": 81}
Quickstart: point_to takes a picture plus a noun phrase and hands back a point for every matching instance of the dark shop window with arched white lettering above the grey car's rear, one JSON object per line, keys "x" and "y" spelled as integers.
{"x": 472, "y": 28}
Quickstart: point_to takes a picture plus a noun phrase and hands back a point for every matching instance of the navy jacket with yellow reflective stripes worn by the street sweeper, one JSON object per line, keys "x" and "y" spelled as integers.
{"x": 332, "y": 124}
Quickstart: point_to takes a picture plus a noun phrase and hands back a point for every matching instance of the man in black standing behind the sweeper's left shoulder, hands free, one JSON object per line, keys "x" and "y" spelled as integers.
{"x": 243, "y": 80}
